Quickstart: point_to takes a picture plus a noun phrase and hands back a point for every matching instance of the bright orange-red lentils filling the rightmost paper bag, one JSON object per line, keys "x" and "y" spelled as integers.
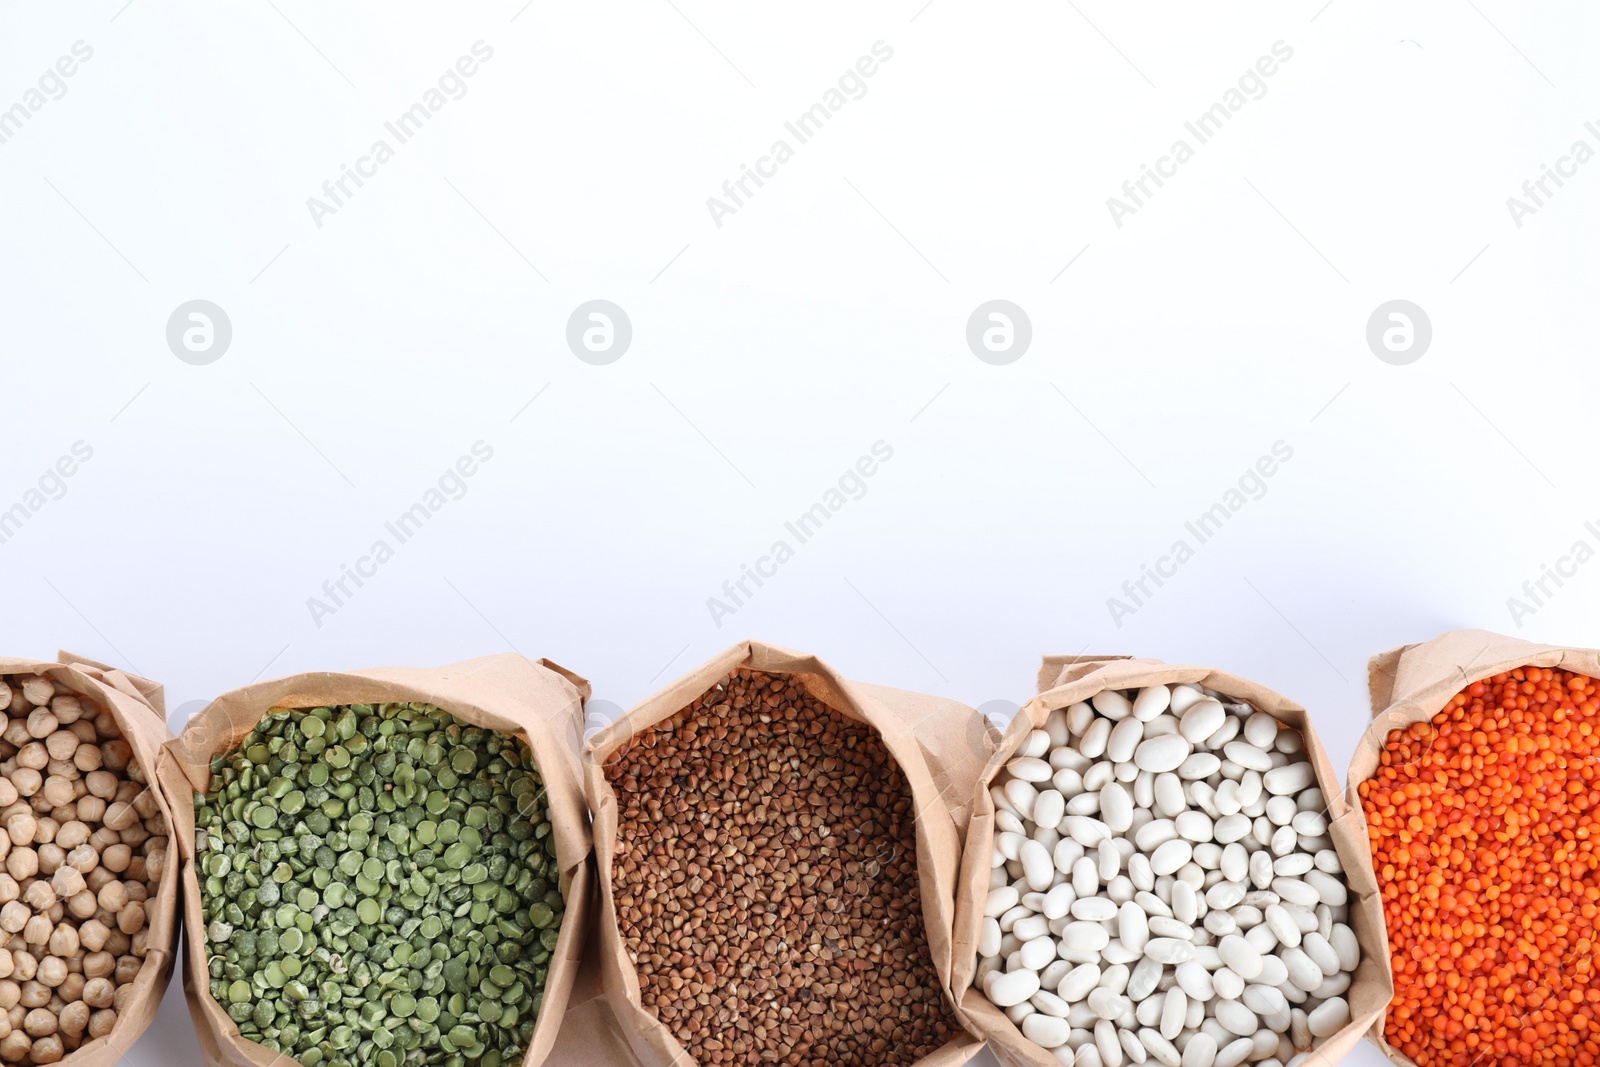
{"x": 1486, "y": 826}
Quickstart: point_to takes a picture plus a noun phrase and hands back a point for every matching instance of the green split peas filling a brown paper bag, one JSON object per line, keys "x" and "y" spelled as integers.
{"x": 380, "y": 887}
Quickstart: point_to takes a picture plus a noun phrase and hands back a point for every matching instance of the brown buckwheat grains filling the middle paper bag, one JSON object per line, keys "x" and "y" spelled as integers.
{"x": 766, "y": 884}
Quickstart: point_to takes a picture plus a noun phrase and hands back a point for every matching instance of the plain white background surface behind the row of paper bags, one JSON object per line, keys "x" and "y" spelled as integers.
{"x": 770, "y": 353}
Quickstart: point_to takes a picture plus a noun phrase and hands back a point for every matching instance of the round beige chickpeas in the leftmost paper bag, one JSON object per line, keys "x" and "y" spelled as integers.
{"x": 84, "y": 847}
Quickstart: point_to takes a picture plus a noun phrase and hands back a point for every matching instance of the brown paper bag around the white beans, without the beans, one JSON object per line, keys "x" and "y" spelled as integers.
{"x": 1065, "y": 681}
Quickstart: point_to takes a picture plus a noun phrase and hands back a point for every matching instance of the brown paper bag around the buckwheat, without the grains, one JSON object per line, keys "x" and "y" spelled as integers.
{"x": 940, "y": 748}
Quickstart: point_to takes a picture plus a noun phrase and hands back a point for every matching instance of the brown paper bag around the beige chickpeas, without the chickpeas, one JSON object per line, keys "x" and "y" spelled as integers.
{"x": 140, "y": 711}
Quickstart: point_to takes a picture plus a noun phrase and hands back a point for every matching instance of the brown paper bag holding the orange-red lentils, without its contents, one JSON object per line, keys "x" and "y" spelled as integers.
{"x": 1415, "y": 682}
